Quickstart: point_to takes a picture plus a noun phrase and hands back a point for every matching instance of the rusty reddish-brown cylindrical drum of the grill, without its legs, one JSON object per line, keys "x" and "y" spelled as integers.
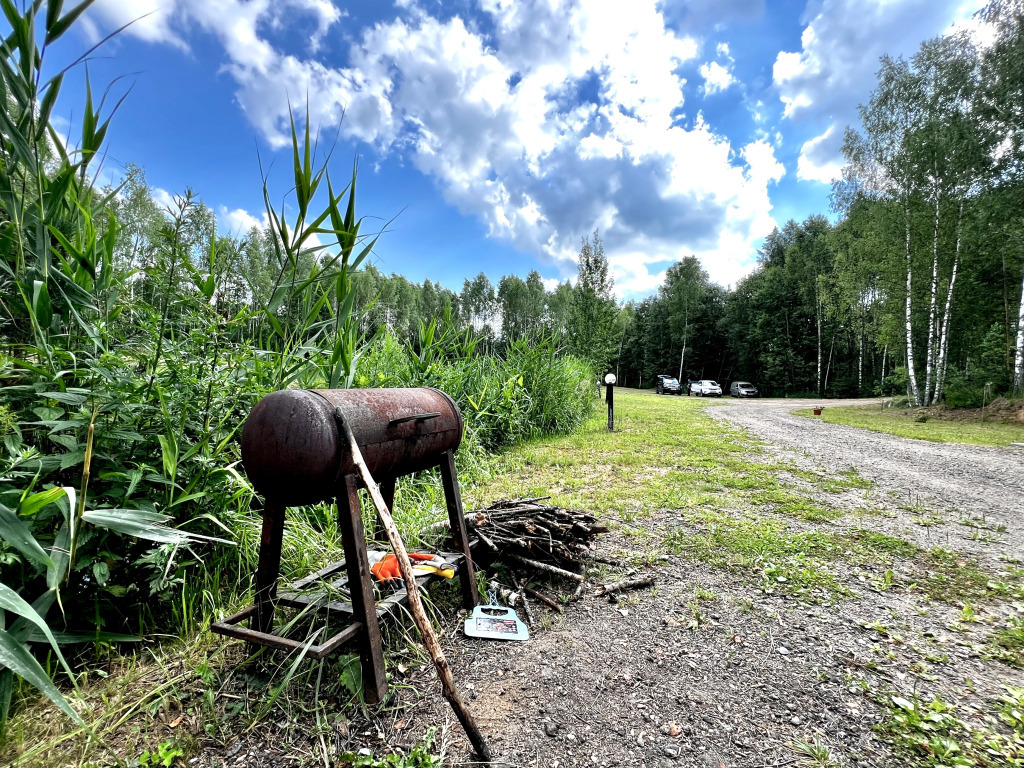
{"x": 294, "y": 454}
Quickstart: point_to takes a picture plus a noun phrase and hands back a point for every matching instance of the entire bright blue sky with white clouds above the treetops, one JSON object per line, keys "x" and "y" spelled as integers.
{"x": 497, "y": 134}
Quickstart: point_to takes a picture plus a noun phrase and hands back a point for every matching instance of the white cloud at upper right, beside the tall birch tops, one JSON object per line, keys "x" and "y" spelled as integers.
{"x": 822, "y": 86}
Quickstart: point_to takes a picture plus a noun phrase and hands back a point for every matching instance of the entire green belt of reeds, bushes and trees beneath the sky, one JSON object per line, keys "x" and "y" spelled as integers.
{"x": 135, "y": 339}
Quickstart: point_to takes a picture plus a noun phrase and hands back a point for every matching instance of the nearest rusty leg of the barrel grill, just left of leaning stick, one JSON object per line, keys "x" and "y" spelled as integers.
{"x": 361, "y": 588}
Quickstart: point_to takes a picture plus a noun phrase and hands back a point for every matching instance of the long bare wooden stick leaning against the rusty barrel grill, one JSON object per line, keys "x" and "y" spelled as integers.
{"x": 415, "y": 607}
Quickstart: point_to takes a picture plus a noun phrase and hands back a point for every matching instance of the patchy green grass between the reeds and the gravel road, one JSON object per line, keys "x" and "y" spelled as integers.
{"x": 710, "y": 494}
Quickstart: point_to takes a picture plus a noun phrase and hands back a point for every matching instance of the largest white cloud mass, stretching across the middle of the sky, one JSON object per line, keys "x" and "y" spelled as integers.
{"x": 562, "y": 119}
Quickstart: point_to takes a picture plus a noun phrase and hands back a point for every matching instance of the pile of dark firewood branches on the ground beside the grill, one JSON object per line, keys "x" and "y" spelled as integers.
{"x": 532, "y": 532}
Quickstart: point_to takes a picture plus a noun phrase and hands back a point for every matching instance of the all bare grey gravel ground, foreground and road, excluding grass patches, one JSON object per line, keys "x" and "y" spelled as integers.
{"x": 713, "y": 670}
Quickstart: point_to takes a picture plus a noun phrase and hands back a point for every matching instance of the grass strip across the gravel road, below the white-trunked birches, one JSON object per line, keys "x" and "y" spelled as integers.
{"x": 902, "y": 422}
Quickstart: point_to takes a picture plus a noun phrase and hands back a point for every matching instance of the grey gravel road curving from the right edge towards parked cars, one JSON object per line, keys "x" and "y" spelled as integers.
{"x": 948, "y": 483}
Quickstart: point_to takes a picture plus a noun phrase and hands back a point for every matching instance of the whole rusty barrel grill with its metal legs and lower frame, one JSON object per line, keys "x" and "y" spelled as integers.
{"x": 295, "y": 453}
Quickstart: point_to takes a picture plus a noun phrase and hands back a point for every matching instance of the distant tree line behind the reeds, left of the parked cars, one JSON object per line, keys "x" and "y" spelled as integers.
{"x": 579, "y": 316}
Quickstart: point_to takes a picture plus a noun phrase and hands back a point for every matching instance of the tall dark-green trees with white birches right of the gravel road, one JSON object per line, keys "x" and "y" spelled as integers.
{"x": 917, "y": 288}
